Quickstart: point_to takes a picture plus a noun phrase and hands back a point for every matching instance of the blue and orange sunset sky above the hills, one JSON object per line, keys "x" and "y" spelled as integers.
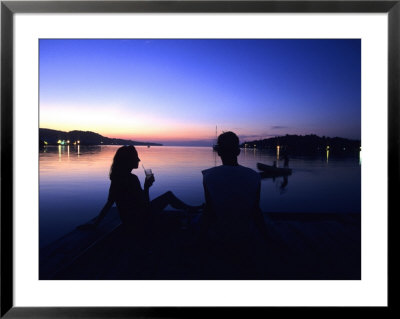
{"x": 178, "y": 91}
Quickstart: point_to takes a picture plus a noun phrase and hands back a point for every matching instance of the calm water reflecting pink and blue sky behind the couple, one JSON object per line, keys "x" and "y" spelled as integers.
{"x": 74, "y": 182}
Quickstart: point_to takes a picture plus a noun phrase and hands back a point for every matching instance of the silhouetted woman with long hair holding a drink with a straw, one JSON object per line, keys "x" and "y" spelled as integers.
{"x": 136, "y": 211}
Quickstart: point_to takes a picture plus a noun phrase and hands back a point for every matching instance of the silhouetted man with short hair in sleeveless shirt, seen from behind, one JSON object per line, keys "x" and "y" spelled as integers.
{"x": 232, "y": 193}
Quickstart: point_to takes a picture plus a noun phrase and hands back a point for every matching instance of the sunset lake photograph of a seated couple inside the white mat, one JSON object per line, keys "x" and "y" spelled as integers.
{"x": 199, "y": 159}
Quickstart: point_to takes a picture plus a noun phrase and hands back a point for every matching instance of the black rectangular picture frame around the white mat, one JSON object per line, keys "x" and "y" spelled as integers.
{"x": 9, "y": 8}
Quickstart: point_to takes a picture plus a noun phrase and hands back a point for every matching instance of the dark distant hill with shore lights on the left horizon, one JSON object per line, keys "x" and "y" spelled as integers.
{"x": 52, "y": 137}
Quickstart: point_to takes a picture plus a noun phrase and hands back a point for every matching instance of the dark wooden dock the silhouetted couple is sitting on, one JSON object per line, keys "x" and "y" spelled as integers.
{"x": 301, "y": 246}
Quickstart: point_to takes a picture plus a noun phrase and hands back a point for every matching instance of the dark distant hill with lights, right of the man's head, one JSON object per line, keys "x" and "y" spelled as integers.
{"x": 298, "y": 144}
